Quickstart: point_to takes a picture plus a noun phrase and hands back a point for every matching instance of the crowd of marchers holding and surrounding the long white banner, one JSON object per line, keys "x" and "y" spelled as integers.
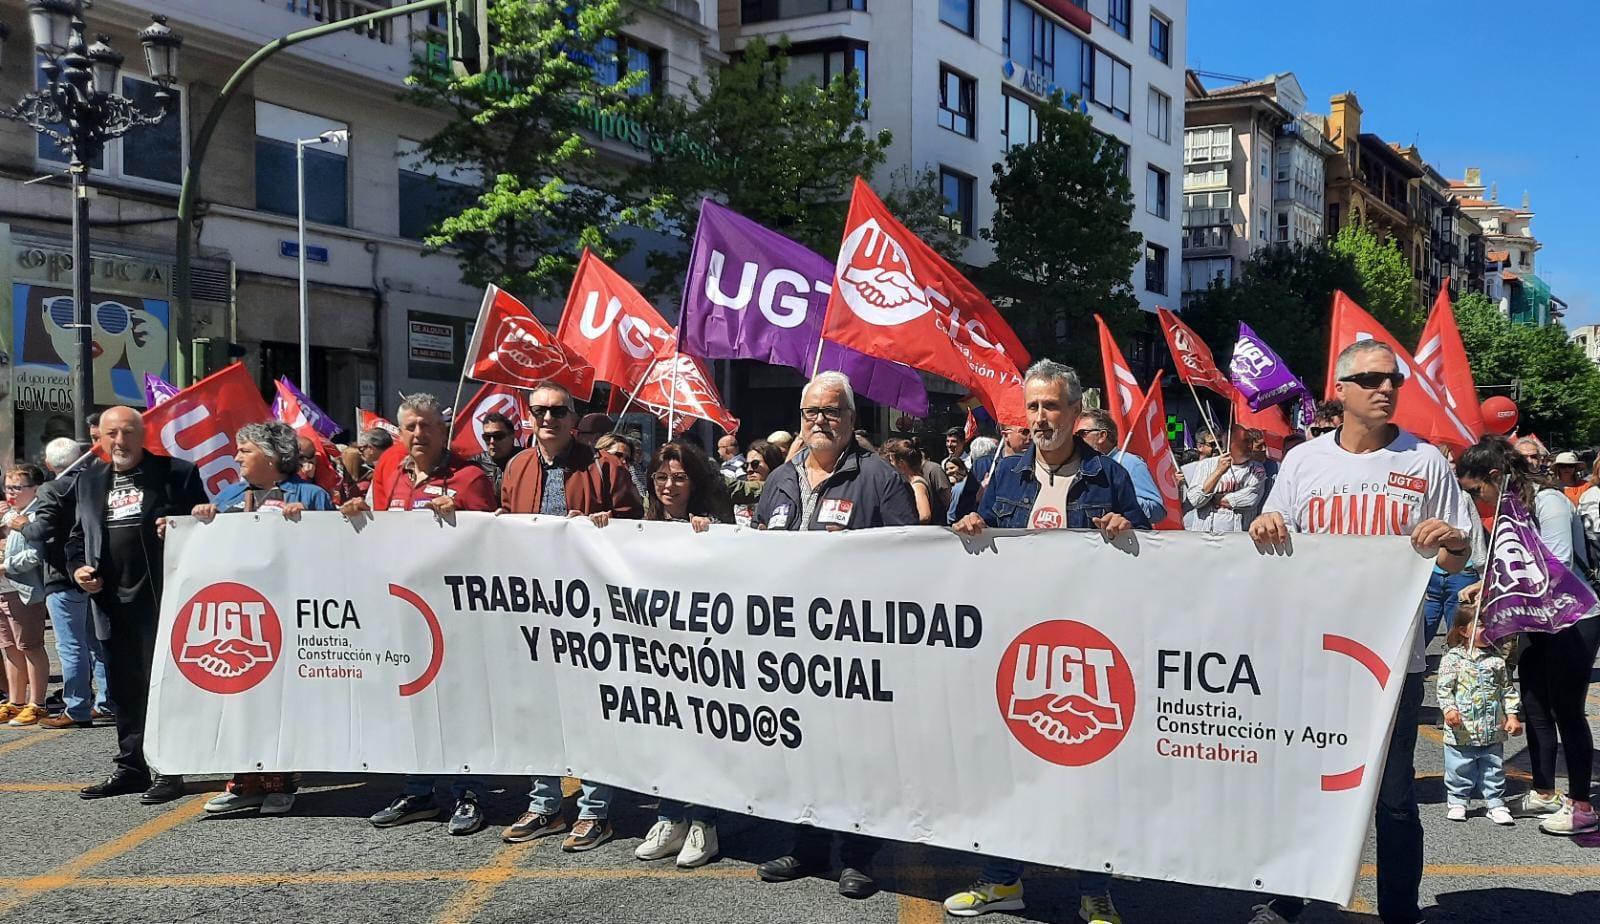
{"x": 87, "y": 546}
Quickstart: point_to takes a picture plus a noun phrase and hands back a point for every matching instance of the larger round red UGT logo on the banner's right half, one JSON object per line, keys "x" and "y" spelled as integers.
{"x": 1066, "y": 693}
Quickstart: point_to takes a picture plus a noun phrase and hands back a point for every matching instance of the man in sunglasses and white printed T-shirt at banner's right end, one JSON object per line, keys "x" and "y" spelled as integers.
{"x": 1374, "y": 479}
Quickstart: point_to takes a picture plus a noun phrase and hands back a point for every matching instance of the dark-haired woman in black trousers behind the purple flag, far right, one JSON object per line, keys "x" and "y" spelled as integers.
{"x": 1554, "y": 667}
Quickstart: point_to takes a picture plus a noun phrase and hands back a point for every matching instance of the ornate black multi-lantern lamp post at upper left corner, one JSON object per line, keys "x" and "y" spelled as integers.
{"x": 81, "y": 110}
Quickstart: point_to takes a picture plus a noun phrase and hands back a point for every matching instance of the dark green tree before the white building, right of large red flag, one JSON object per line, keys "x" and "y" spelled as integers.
{"x": 1063, "y": 245}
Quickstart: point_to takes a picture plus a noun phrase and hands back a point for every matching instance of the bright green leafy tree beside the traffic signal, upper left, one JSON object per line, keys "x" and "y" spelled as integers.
{"x": 546, "y": 194}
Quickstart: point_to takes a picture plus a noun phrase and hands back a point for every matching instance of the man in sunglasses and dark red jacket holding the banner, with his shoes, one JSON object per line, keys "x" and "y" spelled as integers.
{"x": 564, "y": 477}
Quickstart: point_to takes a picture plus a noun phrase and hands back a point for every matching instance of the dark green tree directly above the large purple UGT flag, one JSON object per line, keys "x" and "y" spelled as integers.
{"x": 775, "y": 149}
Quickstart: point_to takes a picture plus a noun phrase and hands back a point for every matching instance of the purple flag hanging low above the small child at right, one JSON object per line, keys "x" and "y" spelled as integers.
{"x": 1527, "y": 587}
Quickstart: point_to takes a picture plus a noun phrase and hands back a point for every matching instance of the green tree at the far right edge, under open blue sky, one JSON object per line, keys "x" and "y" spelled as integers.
{"x": 1559, "y": 386}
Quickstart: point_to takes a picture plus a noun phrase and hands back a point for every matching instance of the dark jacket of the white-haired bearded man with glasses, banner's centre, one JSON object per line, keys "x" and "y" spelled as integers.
{"x": 874, "y": 493}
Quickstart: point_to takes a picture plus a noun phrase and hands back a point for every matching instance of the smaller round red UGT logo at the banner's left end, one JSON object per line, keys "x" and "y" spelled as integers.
{"x": 226, "y": 639}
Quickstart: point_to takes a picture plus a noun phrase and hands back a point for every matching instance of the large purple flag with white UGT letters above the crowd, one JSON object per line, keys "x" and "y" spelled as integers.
{"x": 756, "y": 295}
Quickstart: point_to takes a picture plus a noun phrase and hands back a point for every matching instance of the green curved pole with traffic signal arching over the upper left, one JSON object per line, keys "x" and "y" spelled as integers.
{"x": 468, "y": 31}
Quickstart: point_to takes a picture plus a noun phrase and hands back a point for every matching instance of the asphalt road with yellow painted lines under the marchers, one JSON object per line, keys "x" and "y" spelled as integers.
{"x": 68, "y": 861}
